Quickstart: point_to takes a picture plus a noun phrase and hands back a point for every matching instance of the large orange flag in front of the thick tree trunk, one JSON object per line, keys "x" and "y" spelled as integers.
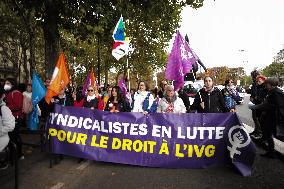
{"x": 59, "y": 80}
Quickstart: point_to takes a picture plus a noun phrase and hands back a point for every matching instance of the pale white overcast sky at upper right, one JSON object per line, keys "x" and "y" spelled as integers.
{"x": 221, "y": 28}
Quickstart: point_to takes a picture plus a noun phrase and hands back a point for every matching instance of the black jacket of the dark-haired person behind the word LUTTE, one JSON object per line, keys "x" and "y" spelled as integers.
{"x": 213, "y": 102}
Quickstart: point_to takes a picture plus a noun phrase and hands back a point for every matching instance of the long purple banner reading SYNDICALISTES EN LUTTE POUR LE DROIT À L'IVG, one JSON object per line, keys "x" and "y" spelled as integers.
{"x": 156, "y": 140}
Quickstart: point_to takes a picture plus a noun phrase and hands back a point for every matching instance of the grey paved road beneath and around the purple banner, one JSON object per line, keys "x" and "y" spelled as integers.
{"x": 35, "y": 173}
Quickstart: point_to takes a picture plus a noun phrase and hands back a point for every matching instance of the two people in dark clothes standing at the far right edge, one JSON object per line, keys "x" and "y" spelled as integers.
{"x": 267, "y": 111}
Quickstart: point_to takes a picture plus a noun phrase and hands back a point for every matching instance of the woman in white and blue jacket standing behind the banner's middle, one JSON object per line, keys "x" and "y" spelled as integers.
{"x": 143, "y": 99}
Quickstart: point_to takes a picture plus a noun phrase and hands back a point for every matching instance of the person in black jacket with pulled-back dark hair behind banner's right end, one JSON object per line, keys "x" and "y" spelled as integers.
{"x": 209, "y": 99}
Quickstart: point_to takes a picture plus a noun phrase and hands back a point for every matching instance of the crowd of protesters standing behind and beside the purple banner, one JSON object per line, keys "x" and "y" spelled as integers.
{"x": 267, "y": 109}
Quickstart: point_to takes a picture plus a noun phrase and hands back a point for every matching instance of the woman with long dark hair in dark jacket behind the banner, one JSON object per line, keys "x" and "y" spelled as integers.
{"x": 117, "y": 101}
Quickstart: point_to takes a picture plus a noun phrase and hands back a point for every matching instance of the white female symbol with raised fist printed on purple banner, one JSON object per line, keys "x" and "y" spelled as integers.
{"x": 238, "y": 138}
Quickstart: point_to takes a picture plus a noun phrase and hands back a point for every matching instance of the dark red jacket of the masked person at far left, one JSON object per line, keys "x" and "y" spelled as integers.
{"x": 14, "y": 100}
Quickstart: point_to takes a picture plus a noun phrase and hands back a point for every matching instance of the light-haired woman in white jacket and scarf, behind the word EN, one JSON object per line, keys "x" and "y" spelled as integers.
{"x": 171, "y": 103}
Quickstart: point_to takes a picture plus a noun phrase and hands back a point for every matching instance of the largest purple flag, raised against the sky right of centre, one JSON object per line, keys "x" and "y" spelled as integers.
{"x": 180, "y": 61}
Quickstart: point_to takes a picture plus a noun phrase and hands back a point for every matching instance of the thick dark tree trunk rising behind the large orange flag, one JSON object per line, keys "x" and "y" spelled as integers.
{"x": 51, "y": 36}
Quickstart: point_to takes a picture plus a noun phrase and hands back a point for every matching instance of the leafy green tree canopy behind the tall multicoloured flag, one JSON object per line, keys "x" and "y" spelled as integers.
{"x": 85, "y": 27}
